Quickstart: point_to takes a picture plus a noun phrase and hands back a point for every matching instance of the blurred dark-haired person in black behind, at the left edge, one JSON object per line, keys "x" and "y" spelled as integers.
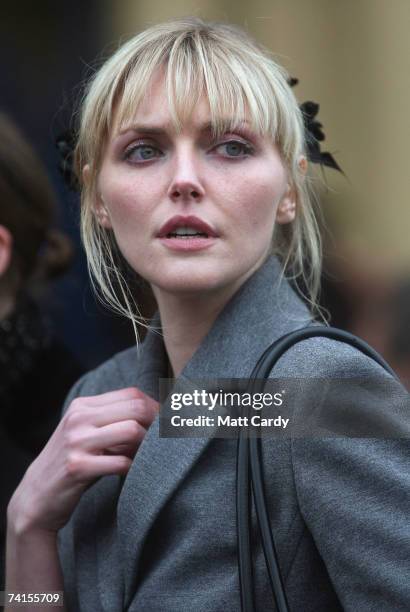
{"x": 36, "y": 370}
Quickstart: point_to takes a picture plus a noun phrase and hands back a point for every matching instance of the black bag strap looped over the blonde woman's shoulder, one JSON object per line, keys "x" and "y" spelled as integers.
{"x": 249, "y": 470}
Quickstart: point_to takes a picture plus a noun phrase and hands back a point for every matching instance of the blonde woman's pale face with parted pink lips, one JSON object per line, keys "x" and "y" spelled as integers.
{"x": 237, "y": 185}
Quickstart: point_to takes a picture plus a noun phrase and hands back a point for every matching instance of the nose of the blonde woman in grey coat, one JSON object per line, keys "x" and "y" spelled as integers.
{"x": 185, "y": 184}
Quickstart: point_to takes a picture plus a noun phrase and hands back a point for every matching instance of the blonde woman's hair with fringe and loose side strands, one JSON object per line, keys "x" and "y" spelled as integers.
{"x": 239, "y": 78}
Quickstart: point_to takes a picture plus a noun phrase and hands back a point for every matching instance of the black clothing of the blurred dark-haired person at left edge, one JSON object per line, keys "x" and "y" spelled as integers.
{"x": 36, "y": 372}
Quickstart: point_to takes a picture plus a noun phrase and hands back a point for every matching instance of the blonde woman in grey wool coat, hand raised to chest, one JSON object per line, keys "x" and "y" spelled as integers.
{"x": 191, "y": 157}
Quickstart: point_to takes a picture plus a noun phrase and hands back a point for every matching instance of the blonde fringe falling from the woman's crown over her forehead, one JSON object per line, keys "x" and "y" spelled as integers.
{"x": 196, "y": 65}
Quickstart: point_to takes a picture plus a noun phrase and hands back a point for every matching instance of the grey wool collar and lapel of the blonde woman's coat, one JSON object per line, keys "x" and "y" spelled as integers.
{"x": 264, "y": 308}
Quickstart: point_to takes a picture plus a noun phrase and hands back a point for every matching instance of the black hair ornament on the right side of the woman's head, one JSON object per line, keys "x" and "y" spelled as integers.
{"x": 314, "y": 134}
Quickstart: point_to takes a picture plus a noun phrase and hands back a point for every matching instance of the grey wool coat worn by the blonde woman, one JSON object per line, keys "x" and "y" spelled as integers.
{"x": 164, "y": 537}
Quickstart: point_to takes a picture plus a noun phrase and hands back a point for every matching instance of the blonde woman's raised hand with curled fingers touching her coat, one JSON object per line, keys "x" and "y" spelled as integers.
{"x": 98, "y": 435}
